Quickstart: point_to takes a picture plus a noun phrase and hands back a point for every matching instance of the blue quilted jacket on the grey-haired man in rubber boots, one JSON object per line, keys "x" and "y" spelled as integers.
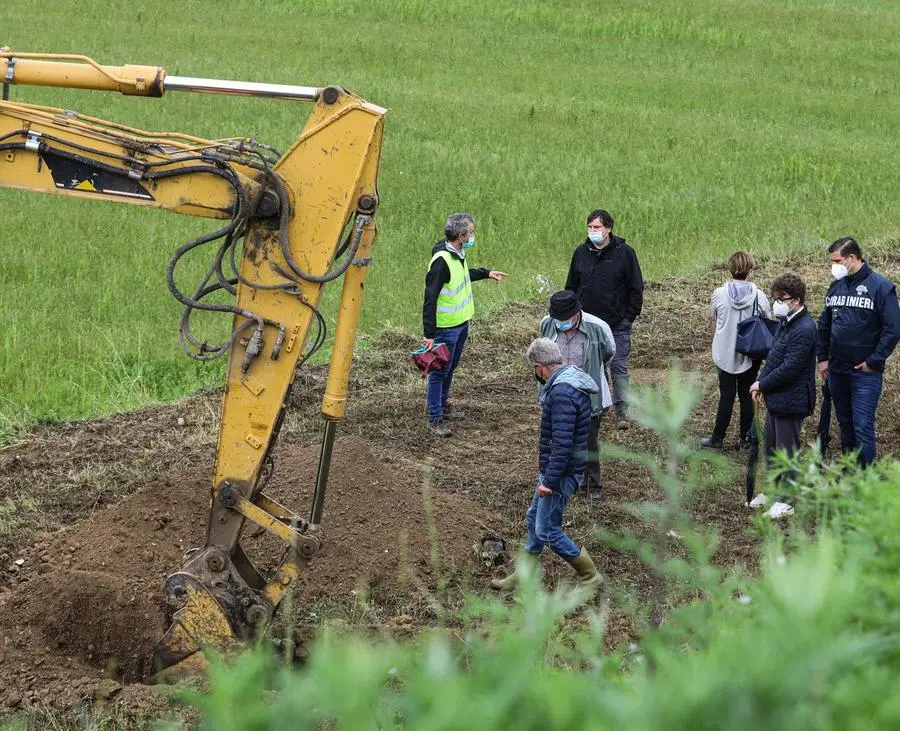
{"x": 565, "y": 422}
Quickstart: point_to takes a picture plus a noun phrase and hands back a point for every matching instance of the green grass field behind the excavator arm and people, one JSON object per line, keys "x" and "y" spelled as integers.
{"x": 703, "y": 126}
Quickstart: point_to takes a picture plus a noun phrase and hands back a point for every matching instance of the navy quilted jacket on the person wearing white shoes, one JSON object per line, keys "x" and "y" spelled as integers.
{"x": 788, "y": 378}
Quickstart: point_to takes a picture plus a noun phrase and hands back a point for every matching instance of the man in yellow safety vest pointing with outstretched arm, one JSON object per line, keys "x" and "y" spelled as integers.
{"x": 447, "y": 310}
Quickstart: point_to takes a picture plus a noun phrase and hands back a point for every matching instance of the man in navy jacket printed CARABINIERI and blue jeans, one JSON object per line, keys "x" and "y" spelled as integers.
{"x": 858, "y": 330}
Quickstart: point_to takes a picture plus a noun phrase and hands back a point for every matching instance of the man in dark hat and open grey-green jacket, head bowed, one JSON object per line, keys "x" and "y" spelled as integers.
{"x": 587, "y": 342}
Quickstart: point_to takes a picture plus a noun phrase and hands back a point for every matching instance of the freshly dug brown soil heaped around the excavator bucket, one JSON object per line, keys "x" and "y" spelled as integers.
{"x": 86, "y": 602}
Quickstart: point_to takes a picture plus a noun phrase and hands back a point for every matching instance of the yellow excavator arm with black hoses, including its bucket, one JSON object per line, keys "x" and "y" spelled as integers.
{"x": 295, "y": 222}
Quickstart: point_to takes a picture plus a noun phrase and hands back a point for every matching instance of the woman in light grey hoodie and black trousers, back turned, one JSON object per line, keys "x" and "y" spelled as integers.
{"x": 733, "y": 302}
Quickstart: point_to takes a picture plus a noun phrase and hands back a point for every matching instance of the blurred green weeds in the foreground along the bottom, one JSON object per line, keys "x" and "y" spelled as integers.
{"x": 810, "y": 642}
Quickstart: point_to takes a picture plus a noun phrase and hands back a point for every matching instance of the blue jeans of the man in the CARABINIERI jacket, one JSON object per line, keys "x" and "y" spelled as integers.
{"x": 855, "y": 398}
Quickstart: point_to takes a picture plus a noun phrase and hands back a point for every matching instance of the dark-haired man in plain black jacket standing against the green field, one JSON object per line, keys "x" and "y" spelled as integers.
{"x": 606, "y": 276}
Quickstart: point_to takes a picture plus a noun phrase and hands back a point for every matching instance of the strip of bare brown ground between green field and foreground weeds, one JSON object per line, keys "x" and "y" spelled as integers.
{"x": 94, "y": 515}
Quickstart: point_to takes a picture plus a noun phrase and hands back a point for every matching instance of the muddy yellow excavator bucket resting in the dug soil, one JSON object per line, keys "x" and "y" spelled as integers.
{"x": 199, "y": 626}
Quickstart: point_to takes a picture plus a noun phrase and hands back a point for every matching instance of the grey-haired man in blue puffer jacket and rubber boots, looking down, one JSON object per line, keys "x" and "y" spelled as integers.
{"x": 565, "y": 424}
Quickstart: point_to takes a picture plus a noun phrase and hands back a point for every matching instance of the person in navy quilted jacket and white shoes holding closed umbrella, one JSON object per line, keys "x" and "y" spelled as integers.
{"x": 788, "y": 378}
